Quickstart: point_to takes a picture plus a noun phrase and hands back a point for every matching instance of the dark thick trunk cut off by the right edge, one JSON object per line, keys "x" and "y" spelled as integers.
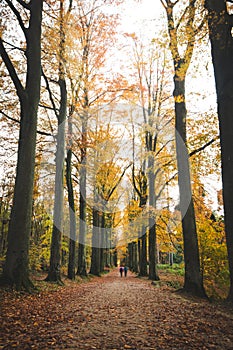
{"x": 220, "y": 33}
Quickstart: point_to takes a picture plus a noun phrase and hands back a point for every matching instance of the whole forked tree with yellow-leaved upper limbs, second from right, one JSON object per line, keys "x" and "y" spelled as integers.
{"x": 193, "y": 282}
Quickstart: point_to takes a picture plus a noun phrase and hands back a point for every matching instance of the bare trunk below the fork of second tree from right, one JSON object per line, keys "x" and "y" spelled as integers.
{"x": 193, "y": 282}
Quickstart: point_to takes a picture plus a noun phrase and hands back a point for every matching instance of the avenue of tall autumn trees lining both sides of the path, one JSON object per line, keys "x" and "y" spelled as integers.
{"x": 113, "y": 163}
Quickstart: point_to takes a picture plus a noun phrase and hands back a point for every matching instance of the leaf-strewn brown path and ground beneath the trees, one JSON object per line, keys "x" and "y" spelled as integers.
{"x": 111, "y": 312}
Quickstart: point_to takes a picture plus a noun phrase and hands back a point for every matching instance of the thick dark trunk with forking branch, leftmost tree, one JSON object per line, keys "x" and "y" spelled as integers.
{"x": 16, "y": 265}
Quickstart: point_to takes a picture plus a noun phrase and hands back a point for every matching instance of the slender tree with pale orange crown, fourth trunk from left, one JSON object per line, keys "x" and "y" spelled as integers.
{"x": 93, "y": 36}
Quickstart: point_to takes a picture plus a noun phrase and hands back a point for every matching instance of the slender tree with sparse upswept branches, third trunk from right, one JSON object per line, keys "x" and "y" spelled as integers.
{"x": 150, "y": 85}
